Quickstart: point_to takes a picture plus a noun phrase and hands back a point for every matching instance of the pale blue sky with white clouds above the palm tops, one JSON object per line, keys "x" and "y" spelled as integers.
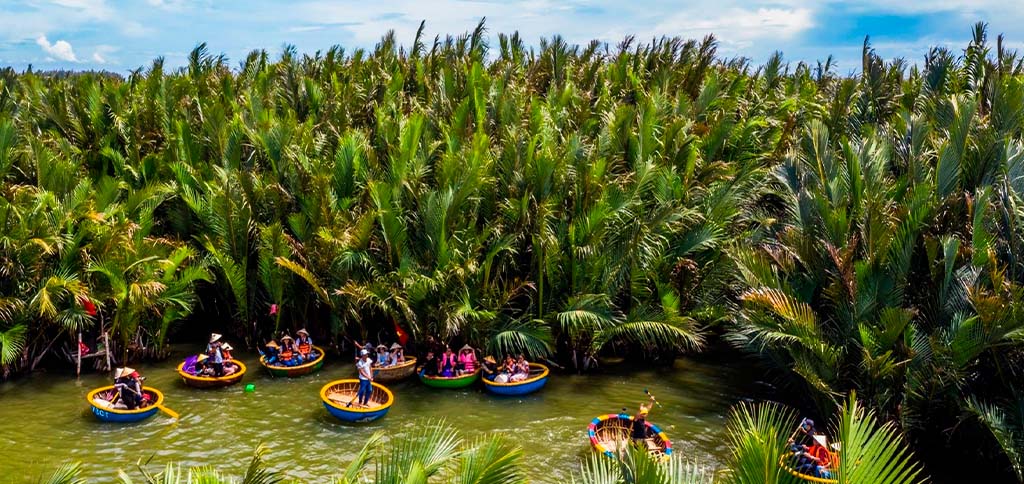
{"x": 123, "y": 35}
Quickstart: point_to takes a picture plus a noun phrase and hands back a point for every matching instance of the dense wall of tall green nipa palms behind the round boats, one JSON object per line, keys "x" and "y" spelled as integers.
{"x": 852, "y": 233}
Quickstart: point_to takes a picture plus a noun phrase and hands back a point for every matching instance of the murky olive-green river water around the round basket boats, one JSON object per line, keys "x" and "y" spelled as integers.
{"x": 47, "y": 420}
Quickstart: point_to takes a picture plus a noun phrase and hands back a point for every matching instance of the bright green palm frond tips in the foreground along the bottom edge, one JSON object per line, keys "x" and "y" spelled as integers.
{"x": 872, "y": 454}
